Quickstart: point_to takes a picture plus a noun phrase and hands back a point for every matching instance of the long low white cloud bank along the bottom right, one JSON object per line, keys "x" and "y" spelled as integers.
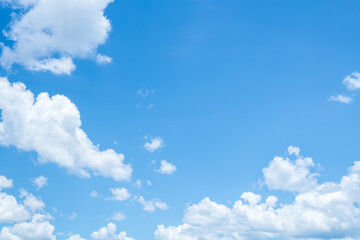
{"x": 327, "y": 211}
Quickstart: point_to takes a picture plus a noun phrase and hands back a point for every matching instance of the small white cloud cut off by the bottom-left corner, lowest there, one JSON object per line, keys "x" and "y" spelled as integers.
{"x": 38, "y": 229}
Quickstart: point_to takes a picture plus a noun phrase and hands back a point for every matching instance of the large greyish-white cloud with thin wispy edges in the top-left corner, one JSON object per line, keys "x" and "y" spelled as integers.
{"x": 48, "y": 34}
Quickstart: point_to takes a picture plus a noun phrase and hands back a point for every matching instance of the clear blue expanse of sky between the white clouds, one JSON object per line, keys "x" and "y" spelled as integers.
{"x": 235, "y": 83}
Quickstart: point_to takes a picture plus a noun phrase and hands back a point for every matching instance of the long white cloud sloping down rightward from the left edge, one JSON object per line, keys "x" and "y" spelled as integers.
{"x": 51, "y": 126}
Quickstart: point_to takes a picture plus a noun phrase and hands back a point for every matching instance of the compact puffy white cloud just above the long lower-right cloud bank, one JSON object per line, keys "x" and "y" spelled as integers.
{"x": 283, "y": 174}
